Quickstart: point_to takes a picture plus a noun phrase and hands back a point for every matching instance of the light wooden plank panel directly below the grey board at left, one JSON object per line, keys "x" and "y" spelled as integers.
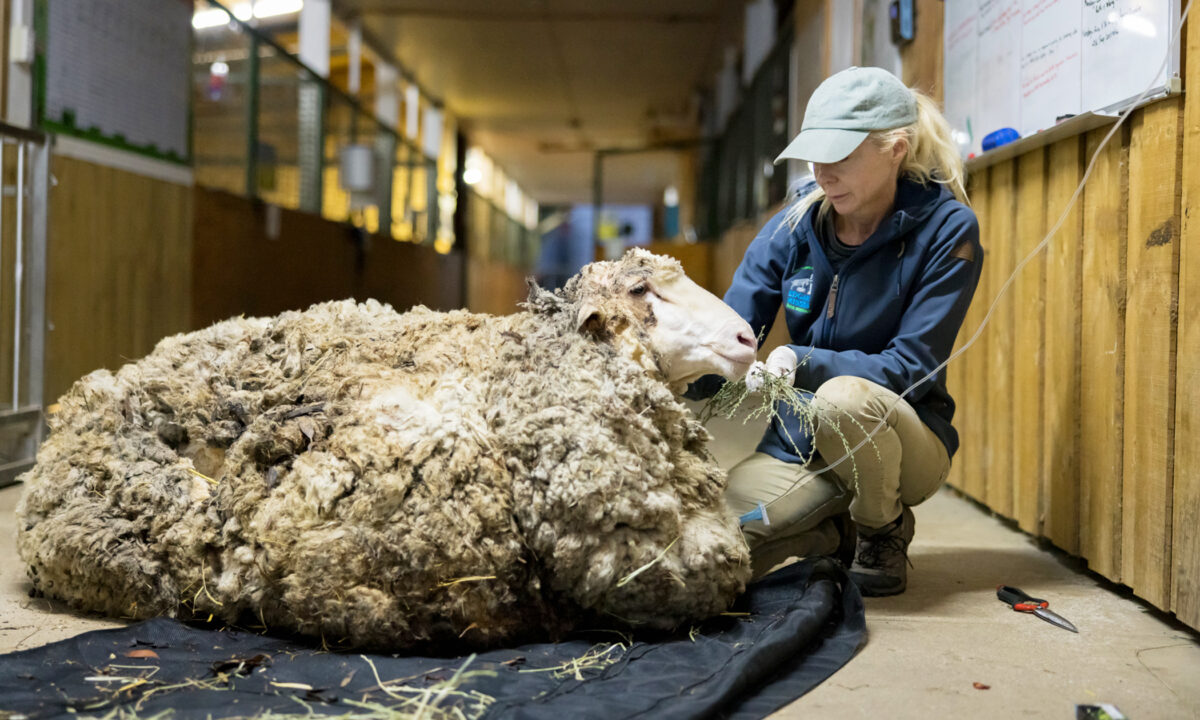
{"x": 119, "y": 269}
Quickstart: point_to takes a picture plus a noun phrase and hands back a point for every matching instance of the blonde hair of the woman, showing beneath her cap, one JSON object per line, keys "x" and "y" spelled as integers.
{"x": 933, "y": 157}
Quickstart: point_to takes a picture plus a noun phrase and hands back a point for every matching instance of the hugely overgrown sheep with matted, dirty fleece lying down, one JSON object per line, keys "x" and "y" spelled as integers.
{"x": 391, "y": 481}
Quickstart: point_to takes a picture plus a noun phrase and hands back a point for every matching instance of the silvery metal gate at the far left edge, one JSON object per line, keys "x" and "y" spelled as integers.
{"x": 25, "y": 194}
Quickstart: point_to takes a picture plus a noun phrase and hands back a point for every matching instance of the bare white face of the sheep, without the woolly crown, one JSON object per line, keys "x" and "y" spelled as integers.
{"x": 694, "y": 332}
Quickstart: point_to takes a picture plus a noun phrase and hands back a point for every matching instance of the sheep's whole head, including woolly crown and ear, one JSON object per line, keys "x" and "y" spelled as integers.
{"x": 659, "y": 317}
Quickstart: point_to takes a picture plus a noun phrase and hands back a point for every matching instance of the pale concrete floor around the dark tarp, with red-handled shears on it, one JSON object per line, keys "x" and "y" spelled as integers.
{"x": 931, "y": 652}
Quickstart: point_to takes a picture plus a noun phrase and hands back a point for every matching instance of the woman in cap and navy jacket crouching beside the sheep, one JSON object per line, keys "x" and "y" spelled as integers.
{"x": 875, "y": 267}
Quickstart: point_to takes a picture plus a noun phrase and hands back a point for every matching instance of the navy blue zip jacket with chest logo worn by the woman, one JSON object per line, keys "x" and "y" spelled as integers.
{"x": 898, "y": 307}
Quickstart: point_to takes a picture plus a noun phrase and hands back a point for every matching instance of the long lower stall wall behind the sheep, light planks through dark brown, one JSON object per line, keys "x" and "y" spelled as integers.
{"x": 133, "y": 260}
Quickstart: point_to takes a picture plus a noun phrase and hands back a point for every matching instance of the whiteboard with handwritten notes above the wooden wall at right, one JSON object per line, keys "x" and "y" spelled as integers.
{"x": 1024, "y": 64}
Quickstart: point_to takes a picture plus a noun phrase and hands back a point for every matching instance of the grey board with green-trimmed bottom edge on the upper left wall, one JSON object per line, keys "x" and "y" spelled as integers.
{"x": 117, "y": 71}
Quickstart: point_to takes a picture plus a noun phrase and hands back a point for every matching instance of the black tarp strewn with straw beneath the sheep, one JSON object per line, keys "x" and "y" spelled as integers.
{"x": 801, "y": 626}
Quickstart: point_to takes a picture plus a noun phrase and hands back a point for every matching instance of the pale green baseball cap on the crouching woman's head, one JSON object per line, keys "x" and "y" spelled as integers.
{"x": 845, "y": 109}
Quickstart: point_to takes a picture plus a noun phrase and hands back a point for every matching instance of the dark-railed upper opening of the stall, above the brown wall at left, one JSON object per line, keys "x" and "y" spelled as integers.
{"x": 269, "y": 128}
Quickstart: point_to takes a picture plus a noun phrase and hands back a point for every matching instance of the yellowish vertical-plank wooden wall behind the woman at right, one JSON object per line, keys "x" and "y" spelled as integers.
{"x": 1078, "y": 405}
